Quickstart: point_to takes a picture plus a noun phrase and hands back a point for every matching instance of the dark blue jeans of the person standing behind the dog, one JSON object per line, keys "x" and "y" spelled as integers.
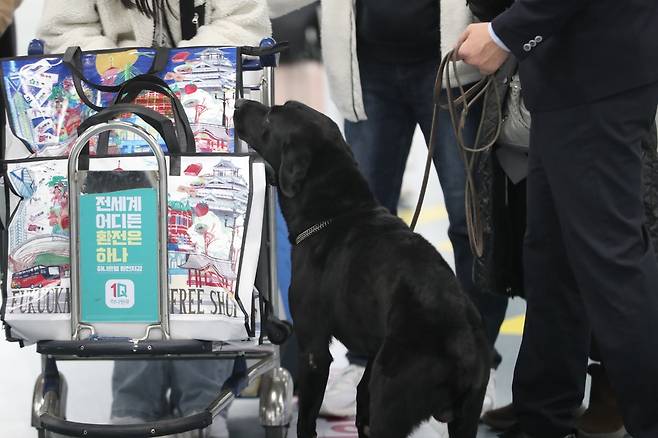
{"x": 397, "y": 97}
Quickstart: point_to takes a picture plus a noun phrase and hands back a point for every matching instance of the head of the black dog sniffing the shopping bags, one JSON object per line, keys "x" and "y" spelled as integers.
{"x": 297, "y": 141}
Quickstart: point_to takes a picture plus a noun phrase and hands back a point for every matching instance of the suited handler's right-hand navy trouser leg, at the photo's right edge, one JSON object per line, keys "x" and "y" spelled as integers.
{"x": 594, "y": 168}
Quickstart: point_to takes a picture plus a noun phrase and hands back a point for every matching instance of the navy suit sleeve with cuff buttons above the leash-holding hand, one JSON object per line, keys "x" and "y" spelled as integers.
{"x": 528, "y": 20}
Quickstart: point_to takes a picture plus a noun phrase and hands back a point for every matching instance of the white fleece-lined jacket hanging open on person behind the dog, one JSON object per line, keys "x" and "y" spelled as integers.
{"x": 339, "y": 46}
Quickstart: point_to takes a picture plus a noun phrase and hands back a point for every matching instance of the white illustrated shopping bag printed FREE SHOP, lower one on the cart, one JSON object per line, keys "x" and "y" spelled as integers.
{"x": 214, "y": 224}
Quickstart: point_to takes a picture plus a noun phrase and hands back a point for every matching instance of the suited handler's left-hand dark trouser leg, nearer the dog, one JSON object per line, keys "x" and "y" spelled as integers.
{"x": 549, "y": 378}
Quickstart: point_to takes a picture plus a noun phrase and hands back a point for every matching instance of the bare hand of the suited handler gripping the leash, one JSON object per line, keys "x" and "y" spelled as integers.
{"x": 475, "y": 47}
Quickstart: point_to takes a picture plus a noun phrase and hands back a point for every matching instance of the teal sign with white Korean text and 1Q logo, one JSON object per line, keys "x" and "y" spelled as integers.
{"x": 119, "y": 256}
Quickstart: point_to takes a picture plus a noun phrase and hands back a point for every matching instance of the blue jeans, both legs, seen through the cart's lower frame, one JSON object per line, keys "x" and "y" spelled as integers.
{"x": 140, "y": 387}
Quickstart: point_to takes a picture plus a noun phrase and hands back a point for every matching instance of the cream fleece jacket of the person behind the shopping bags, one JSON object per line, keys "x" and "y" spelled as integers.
{"x": 103, "y": 24}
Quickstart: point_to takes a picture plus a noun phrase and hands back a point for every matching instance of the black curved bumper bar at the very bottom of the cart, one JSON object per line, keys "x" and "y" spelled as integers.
{"x": 156, "y": 428}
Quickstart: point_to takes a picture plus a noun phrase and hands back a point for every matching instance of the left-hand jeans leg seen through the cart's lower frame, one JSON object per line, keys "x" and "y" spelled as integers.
{"x": 139, "y": 389}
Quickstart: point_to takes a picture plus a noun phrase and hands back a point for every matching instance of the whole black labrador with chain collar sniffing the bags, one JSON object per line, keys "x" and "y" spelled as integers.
{"x": 360, "y": 274}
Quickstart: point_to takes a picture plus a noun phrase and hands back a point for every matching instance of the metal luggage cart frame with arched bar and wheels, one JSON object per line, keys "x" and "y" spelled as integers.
{"x": 250, "y": 361}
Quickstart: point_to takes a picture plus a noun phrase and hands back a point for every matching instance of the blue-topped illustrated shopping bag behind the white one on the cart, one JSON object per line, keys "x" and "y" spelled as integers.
{"x": 48, "y": 96}
